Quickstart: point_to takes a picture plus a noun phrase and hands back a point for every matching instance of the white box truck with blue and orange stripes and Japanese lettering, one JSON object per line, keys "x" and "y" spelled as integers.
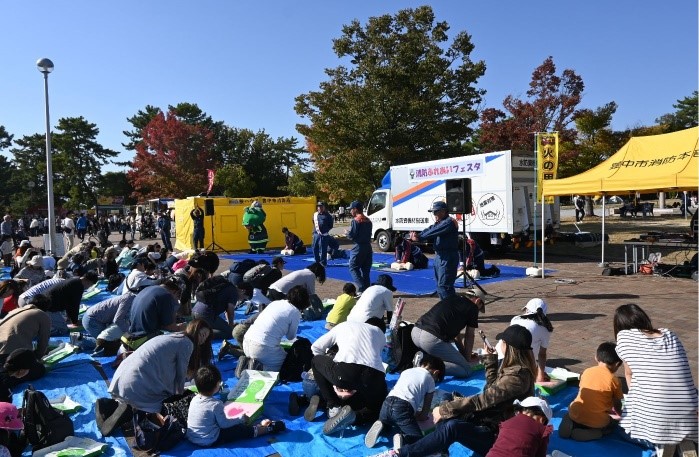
{"x": 502, "y": 194}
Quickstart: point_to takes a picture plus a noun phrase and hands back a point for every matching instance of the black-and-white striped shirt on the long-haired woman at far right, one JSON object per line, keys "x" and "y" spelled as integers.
{"x": 661, "y": 405}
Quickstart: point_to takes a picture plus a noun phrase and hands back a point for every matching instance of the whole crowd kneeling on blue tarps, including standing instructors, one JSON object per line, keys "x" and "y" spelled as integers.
{"x": 167, "y": 307}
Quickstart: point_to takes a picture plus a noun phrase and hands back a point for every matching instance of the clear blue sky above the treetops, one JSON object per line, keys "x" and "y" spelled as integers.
{"x": 243, "y": 62}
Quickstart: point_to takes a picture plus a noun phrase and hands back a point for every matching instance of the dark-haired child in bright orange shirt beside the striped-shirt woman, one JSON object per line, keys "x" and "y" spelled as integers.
{"x": 588, "y": 416}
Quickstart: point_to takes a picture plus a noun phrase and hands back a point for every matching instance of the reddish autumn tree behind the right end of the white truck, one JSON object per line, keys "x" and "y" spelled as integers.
{"x": 550, "y": 105}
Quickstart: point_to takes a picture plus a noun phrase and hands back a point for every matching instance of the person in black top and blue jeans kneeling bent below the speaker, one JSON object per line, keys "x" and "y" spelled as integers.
{"x": 451, "y": 321}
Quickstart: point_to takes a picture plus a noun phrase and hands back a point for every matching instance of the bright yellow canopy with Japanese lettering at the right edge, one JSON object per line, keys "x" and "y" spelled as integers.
{"x": 645, "y": 163}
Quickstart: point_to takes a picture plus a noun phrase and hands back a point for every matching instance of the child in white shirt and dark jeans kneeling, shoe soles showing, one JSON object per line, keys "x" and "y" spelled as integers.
{"x": 409, "y": 401}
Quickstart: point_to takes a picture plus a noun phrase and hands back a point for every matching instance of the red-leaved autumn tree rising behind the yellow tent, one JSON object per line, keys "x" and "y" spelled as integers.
{"x": 172, "y": 159}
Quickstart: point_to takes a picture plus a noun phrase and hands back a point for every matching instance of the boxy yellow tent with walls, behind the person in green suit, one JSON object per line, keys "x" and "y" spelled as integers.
{"x": 296, "y": 213}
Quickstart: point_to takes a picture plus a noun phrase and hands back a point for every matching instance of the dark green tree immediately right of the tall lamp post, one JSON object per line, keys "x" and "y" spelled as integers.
{"x": 78, "y": 161}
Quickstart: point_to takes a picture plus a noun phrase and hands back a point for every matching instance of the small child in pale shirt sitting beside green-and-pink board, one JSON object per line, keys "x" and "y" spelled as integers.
{"x": 207, "y": 424}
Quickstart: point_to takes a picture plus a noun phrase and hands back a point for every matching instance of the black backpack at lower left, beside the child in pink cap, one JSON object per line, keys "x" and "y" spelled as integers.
{"x": 44, "y": 425}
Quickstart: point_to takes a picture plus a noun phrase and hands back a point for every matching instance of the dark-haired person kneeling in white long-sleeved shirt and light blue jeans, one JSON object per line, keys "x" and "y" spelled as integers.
{"x": 280, "y": 319}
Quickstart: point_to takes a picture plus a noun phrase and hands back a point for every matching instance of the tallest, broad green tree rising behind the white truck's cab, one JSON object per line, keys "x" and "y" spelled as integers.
{"x": 406, "y": 95}
